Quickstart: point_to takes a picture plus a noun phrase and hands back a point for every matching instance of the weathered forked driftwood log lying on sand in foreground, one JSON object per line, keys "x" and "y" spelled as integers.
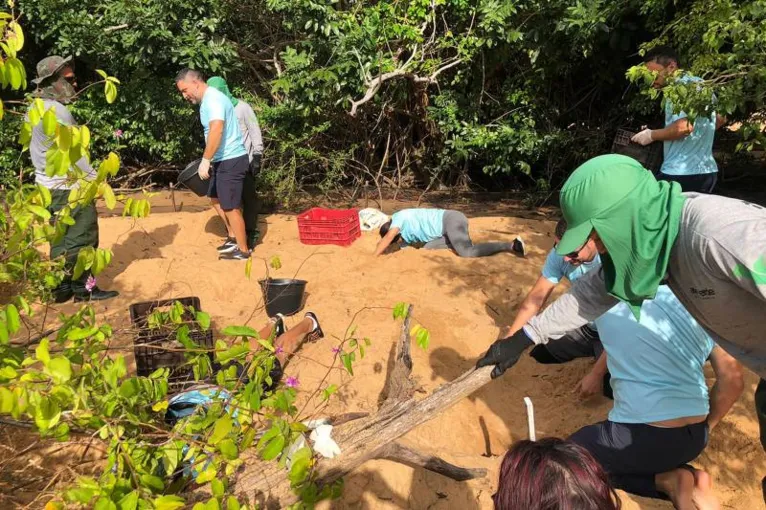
{"x": 374, "y": 436}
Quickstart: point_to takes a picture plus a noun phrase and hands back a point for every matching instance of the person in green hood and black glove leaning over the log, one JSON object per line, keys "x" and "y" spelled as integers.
{"x": 710, "y": 251}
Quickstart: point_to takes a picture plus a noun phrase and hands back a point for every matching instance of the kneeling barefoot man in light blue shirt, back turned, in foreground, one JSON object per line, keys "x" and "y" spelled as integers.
{"x": 663, "y": 411}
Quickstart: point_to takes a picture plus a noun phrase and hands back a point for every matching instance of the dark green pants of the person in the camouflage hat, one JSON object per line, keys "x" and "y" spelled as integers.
{"x": 82, "y": 234}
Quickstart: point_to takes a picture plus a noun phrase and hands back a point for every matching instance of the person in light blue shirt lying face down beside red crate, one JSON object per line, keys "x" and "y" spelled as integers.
{"x": 436, "y": 229}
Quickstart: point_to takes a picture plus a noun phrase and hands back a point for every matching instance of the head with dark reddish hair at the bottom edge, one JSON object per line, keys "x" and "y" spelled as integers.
{"x": 553, "y": 474}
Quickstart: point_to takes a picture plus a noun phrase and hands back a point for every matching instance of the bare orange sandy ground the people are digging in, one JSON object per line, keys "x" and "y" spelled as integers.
{"x": 461, "y": 301}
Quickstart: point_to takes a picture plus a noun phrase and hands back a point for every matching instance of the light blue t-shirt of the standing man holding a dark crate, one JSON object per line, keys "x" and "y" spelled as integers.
{"x": 693, "y": 154}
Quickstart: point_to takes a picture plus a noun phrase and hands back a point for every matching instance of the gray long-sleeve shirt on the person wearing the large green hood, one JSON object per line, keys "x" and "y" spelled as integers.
{"x": 717, "y": 270}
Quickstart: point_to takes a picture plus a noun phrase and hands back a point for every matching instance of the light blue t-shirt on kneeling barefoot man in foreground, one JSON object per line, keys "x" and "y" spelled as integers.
{"x": 656, "y": 364}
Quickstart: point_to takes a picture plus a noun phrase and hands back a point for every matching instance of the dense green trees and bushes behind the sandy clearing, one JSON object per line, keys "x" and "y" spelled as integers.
{"x": 500, "y": 92}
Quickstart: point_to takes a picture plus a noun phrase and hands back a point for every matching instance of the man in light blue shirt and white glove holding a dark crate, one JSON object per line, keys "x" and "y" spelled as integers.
{"x": 688, "y": 148}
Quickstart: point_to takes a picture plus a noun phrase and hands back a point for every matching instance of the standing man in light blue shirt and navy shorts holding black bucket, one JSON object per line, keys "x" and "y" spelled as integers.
{"x": 226, "y": 153}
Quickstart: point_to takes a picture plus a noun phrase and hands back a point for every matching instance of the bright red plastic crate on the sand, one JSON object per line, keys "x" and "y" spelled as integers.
{"x": 329, "y": 226}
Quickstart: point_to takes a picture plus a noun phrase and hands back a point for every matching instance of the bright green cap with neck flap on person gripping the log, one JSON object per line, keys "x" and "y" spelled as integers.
{"x": 636, "y": 217}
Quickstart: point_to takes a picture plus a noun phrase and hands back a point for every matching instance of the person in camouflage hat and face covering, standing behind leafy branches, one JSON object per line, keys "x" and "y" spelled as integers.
{"x": 56, "y": 84}
